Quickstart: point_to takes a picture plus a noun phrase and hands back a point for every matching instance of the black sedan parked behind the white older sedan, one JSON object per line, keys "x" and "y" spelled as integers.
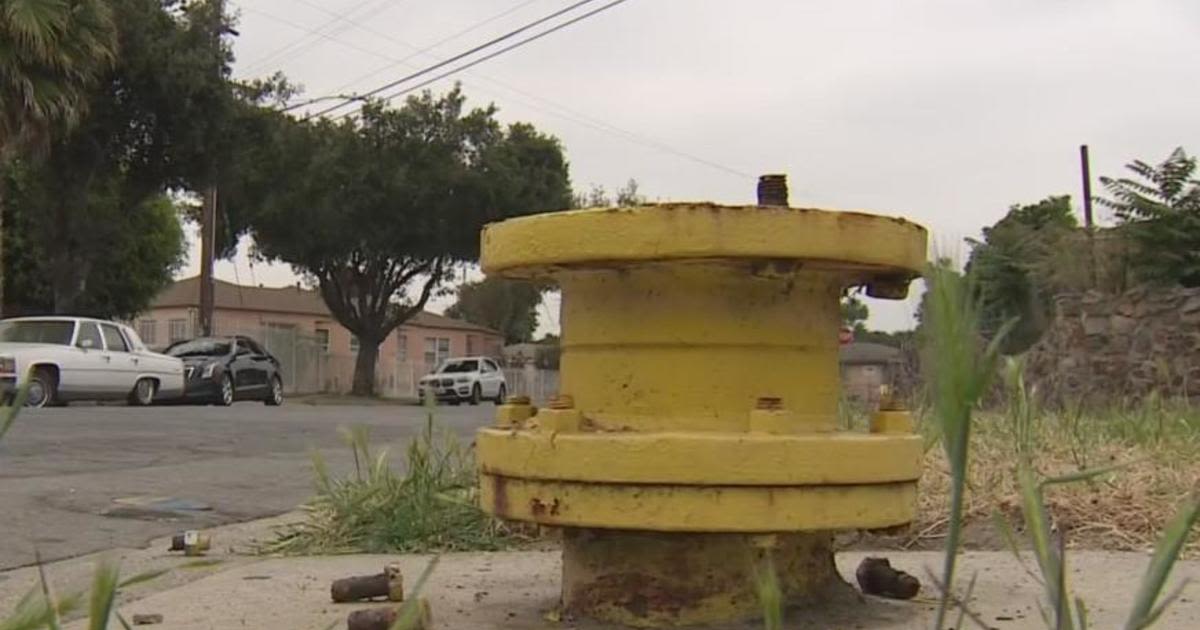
{"x": 224, "y": 370}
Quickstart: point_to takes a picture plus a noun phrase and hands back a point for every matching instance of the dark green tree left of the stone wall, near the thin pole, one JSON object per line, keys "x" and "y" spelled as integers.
{"x": 1010, "y": 269}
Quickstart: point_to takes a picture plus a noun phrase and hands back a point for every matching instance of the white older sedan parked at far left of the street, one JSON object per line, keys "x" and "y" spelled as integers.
{"x": 79, "y": 358}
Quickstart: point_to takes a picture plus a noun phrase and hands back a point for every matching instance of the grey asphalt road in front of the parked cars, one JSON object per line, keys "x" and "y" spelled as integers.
{"x": 82, "y": 479}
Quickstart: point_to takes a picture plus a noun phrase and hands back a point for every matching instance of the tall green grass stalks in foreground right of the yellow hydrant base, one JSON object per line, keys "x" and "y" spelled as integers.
{"x": 961, "y": 365}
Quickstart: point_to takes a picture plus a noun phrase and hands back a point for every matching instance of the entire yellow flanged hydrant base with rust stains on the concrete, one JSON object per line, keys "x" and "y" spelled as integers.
{"x": 697, "y": 431}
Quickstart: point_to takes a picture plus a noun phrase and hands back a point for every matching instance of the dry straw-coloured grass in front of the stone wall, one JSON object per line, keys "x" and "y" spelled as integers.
{"x": 1156, "y": 447}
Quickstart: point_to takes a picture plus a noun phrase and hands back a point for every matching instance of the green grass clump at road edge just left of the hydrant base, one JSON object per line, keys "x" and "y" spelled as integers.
{"x": 431, "y": 507}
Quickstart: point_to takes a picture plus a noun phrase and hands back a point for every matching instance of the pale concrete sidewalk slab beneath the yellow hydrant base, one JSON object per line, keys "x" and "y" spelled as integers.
{"x": 518, "y": 590}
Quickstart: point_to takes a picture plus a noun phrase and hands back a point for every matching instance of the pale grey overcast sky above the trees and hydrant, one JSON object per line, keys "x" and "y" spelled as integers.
{"x": 943, "y": 112}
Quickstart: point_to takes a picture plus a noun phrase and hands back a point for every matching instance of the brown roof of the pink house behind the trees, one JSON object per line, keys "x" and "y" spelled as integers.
{"x": 295, "y": 301}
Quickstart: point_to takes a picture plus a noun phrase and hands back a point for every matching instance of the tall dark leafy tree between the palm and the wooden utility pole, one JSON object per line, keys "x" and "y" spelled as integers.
{"x": 149, "y": 129}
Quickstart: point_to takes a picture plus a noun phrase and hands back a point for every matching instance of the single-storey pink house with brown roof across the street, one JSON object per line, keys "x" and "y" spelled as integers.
{"x": 317, "y": 353}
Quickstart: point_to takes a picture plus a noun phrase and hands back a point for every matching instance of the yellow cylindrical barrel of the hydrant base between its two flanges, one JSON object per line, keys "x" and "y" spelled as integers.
{"x": 692, "y": 347}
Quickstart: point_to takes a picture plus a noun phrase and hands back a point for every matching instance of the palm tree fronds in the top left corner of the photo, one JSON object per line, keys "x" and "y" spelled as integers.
{"x": 52, "y": 52}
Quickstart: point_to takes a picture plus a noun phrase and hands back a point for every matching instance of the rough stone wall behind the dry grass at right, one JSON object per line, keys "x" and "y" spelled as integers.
{"x": 1103, "y": 347}
